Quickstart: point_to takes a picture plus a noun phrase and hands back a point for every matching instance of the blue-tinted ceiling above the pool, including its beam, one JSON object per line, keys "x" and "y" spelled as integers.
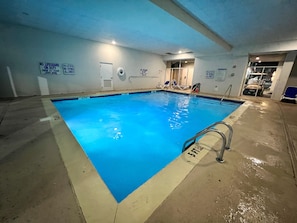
{"x": 162, "y": 26}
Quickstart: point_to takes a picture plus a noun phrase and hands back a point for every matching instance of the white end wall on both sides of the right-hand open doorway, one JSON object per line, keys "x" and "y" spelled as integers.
{"x": 236, "y": 67}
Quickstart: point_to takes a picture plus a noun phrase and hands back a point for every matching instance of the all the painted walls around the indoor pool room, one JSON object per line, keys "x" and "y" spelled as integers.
{"x": 22, "y": 48}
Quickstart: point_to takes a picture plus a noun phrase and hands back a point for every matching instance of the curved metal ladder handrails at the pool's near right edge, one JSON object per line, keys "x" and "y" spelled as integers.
{"x": 226, "y": 142}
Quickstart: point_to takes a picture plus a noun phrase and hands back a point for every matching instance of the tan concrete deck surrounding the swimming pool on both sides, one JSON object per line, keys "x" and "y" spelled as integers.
{"x": 45, "y": 177}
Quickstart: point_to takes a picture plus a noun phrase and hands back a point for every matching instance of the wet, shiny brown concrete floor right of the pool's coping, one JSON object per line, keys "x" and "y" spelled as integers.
{"x": 255, "y": 184}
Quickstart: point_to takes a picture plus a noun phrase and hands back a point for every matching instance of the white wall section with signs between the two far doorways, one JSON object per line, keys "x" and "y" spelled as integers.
{"x": 236, "y": 69}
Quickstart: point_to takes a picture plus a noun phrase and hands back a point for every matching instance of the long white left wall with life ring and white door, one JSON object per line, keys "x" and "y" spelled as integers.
{"x": 25, "y": 47}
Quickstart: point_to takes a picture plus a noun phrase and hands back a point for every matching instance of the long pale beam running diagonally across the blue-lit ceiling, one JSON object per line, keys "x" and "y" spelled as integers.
{"x": 180, "y": 13}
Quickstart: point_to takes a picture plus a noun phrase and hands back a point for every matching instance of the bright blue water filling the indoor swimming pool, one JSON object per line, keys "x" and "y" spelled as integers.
{"x": 131, "y": 137}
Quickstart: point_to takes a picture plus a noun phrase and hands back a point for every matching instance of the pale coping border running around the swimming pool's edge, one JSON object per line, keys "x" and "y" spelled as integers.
{"x": 98, "y": 203}
